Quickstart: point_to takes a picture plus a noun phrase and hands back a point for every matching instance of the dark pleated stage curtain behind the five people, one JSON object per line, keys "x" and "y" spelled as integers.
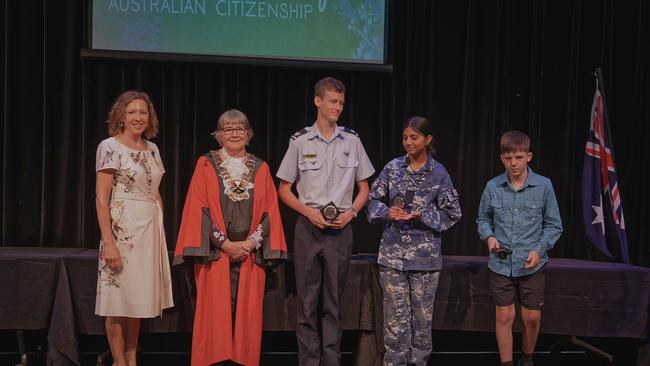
{"x": 476, "y": 68}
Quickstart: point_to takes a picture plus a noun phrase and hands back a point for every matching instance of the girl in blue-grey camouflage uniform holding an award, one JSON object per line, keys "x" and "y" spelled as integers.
{"x": 415, "y": 200}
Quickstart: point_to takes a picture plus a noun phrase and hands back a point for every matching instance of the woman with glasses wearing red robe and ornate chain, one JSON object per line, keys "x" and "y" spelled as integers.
{"x": 231, "y": 229}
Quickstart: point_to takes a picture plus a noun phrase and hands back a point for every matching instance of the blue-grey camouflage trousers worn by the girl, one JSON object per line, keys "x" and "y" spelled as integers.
{"x": 408, "y": 315}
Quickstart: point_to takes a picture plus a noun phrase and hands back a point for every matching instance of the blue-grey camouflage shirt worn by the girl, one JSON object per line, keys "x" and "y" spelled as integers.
{"x": 413, "y": 245}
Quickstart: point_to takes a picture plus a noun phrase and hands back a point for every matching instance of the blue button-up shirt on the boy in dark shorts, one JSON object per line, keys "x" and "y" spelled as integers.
{"x": 523, "y": 220}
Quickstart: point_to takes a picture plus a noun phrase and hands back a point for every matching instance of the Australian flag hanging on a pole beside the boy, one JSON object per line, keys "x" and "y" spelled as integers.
{"x": 601, "y": 199}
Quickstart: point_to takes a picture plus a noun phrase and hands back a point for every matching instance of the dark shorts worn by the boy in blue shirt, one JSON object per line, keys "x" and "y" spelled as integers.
{"x": 526, "y": 290}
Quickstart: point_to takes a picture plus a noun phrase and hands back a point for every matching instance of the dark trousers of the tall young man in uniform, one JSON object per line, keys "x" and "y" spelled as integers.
{"x": 321, "y": 260}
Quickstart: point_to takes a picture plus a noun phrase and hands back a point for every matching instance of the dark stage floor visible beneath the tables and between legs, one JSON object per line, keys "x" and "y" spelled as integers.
{"x": 455, "y": 348}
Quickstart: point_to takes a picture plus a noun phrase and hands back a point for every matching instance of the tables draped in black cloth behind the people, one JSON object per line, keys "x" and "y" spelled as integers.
{"x": 54, "y": 289}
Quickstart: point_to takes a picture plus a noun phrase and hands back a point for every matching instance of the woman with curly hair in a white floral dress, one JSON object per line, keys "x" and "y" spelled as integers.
{"x": 134, "y": 279}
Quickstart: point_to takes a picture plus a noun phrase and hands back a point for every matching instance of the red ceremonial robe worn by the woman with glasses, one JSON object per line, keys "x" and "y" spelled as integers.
{"x": 213, "y": 338}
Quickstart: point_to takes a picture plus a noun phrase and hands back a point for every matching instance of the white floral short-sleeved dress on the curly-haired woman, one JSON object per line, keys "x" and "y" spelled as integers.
{"x": 142, "y": 289}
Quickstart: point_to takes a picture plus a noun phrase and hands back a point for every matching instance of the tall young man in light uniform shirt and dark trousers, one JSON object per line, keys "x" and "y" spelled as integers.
{"x": 325, "y": 161}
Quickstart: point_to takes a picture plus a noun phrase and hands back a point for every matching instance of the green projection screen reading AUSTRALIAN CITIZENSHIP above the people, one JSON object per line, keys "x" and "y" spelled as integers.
{"x": 323, "y": 30}
